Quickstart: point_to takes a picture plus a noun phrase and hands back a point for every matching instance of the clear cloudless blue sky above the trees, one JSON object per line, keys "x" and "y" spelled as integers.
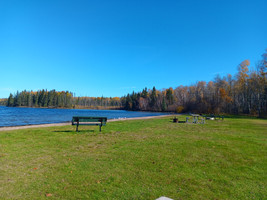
{"x": 110, "y": 48}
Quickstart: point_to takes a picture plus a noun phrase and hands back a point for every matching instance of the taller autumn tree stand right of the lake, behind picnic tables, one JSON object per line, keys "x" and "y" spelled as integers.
{"x": 244, "y": 93}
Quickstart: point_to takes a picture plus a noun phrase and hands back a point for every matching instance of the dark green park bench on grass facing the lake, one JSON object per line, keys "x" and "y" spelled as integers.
{"x": 89, "y": 121}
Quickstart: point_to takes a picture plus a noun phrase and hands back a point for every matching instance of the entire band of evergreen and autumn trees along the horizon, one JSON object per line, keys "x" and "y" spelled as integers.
{"x": 243, "y": 93}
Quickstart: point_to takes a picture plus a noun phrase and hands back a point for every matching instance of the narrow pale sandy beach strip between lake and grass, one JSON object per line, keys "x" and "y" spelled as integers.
{"x": 9, "y": 128}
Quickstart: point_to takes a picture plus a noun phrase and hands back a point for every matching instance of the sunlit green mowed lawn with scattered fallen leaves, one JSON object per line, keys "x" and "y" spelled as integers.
{"x": 138, "y": 159}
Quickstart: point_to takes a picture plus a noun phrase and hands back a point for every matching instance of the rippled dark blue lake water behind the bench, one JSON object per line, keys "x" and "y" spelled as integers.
{"x": 12, "y": 116}
